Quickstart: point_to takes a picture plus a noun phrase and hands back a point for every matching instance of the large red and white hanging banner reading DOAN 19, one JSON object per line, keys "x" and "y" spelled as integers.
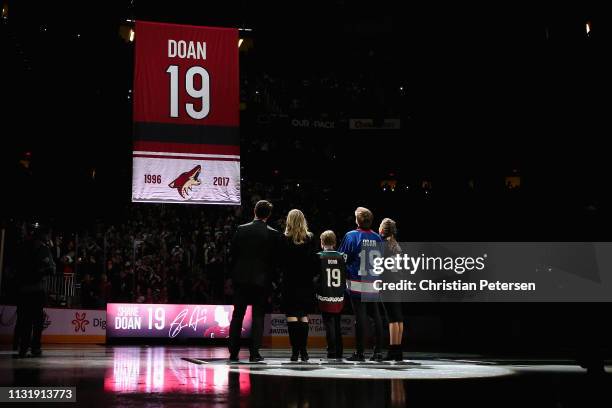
{"x": 186, "y": 114}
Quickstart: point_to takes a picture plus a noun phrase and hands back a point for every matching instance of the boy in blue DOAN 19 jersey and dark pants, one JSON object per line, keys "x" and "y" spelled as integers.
{"x": 357, "y": 245}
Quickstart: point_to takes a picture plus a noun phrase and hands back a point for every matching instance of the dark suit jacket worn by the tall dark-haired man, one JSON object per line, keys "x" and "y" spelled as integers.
{"x": 255, "y": 253}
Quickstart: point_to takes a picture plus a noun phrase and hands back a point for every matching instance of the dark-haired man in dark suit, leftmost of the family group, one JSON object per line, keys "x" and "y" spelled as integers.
{"x": 253, "y": 256}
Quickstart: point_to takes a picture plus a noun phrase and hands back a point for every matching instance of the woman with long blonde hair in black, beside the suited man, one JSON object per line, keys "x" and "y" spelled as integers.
{"x": 299, "y": 267}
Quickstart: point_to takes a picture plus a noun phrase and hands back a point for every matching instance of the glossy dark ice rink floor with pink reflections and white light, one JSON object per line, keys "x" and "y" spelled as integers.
{"x": 155, "y": 376}
